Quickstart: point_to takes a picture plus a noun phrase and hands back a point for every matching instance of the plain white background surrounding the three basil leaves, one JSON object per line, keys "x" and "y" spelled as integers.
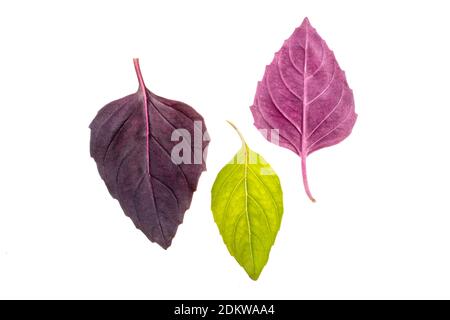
{"x": 381, "y": 224}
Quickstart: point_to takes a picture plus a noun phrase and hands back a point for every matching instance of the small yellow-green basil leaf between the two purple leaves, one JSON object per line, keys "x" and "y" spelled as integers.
{"x": 247, "y": 204}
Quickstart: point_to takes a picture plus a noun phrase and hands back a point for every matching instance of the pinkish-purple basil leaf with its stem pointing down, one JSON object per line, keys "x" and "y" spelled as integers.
{"x": 304, "y": 94}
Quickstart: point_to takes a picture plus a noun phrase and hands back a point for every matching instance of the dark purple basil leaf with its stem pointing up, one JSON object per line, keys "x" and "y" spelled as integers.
{"x": 131, "y": 142}
